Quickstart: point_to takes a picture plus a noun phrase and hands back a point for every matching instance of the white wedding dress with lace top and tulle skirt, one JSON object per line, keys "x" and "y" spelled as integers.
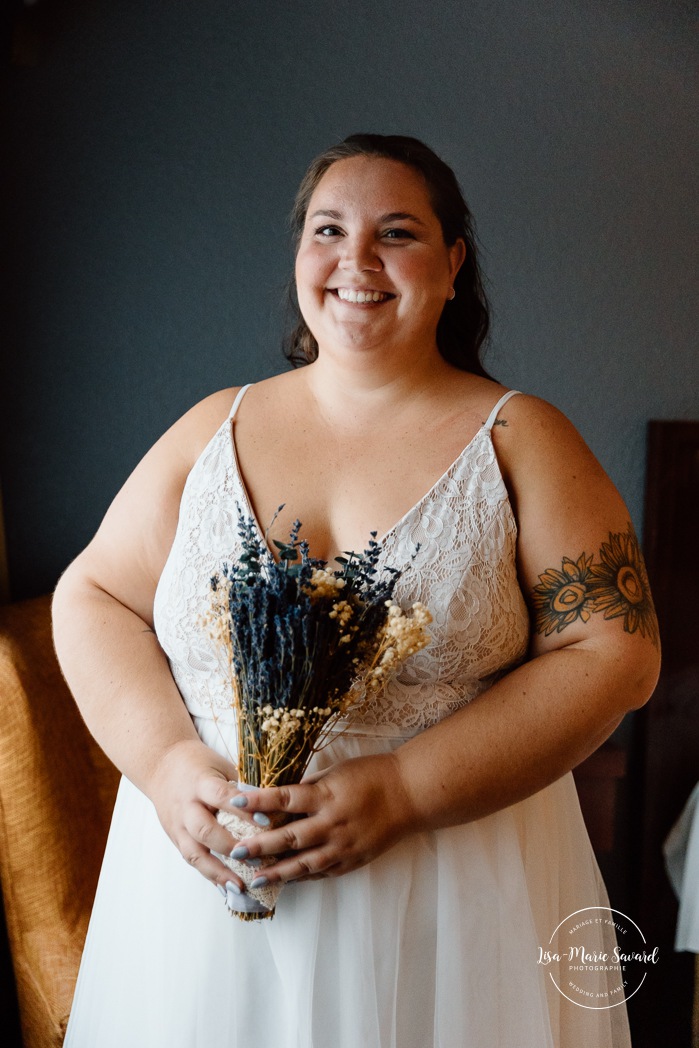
{"x": 435, "y": 945}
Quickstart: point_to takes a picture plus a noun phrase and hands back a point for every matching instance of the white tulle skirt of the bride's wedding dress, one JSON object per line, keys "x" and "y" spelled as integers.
{"x": 435, "y": 945}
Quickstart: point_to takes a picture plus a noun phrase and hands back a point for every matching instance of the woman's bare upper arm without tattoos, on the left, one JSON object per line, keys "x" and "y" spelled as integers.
{"x": 126, "y": 557}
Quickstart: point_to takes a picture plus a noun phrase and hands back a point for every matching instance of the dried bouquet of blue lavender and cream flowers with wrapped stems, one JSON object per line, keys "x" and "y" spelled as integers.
{"x": 307, "y": 647}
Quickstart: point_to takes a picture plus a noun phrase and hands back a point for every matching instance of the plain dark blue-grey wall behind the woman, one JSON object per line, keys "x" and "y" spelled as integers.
{"x": 156, "y": 150}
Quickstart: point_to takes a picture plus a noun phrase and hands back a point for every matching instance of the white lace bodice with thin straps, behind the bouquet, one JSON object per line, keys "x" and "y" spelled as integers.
{"x": 465, "y": 572}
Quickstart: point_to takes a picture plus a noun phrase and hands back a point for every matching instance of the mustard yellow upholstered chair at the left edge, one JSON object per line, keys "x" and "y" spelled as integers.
{"x": 57, "y": 794}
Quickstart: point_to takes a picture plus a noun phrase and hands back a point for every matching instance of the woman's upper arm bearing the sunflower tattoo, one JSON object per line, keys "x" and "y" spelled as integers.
{"x": 581, "y": 566}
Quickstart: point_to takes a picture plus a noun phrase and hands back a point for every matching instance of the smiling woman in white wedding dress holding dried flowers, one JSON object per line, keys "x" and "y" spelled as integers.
{"x": 441, "y": 841}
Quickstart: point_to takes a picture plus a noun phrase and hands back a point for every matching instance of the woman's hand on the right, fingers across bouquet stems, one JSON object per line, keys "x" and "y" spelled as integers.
{"x": 346, "y": 817}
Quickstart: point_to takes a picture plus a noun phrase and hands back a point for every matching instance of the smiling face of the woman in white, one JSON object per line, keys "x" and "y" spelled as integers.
{"x": 373, "y": 268}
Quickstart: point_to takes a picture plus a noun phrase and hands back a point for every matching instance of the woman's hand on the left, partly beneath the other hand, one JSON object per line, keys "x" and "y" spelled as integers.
{"x": 188, "y": 788}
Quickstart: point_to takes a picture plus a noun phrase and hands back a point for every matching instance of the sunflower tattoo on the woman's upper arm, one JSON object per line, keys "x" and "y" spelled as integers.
{"x": 618, "y": 586}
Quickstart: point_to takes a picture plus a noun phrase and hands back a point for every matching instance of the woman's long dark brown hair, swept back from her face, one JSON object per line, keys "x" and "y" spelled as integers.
{"x": 465, "y": 322}
